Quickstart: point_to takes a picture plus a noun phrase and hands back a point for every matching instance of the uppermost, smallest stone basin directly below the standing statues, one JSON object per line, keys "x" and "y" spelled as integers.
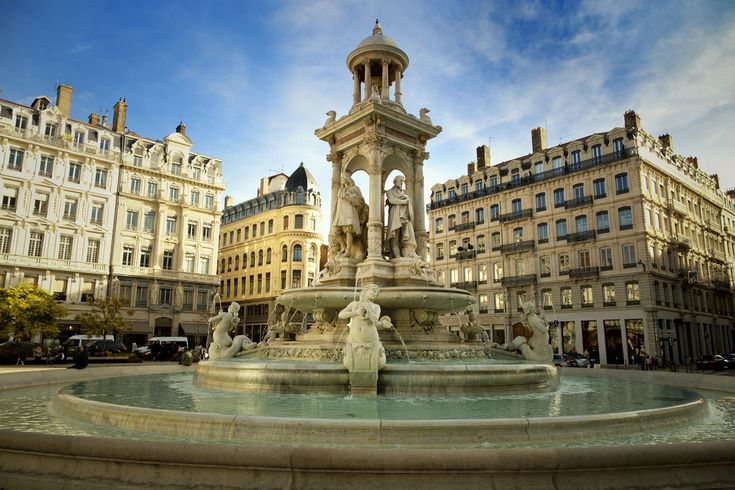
{"x": 435, "y": 299}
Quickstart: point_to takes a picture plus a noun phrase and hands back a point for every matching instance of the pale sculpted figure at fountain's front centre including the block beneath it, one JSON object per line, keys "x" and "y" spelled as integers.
{"x": 364, "y": 354}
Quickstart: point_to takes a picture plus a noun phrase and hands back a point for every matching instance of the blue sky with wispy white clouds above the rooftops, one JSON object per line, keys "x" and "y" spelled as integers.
{"x": 252, "y": 80}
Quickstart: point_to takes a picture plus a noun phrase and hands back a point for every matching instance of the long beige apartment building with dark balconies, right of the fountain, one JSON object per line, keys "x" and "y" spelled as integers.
{"x": 622, "y": 243}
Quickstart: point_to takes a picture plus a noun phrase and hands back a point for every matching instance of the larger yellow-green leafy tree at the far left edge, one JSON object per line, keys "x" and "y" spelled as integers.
{"x": 27, "y": 311}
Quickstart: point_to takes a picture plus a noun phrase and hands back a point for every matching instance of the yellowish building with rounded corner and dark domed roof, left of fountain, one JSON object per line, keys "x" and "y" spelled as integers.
{"x": 268, "y": 244}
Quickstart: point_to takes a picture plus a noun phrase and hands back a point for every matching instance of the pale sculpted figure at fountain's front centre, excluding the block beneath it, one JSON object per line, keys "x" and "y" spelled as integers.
{"x": 365, "y": 320}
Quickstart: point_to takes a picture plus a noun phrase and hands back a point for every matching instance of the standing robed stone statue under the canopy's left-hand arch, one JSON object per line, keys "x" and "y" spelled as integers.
{"x": 350, "y": 216}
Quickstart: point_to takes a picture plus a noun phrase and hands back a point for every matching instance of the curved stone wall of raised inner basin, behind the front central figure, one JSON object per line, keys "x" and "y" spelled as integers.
{"x": 268, "y": 376}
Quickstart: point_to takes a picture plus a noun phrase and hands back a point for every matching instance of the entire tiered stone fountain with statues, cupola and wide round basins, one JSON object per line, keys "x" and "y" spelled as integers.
{"x": 374, "y": 364}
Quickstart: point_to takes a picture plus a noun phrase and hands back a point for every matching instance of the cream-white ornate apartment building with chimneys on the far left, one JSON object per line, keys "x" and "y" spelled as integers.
{"x": 88, "y": 210}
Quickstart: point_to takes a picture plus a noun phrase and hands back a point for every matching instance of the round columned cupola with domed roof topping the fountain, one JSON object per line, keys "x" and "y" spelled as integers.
{"x": 377, "y": 64}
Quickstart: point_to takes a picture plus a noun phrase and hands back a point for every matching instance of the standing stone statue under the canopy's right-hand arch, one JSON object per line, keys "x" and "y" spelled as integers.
{"x": 400, "y": 220}
